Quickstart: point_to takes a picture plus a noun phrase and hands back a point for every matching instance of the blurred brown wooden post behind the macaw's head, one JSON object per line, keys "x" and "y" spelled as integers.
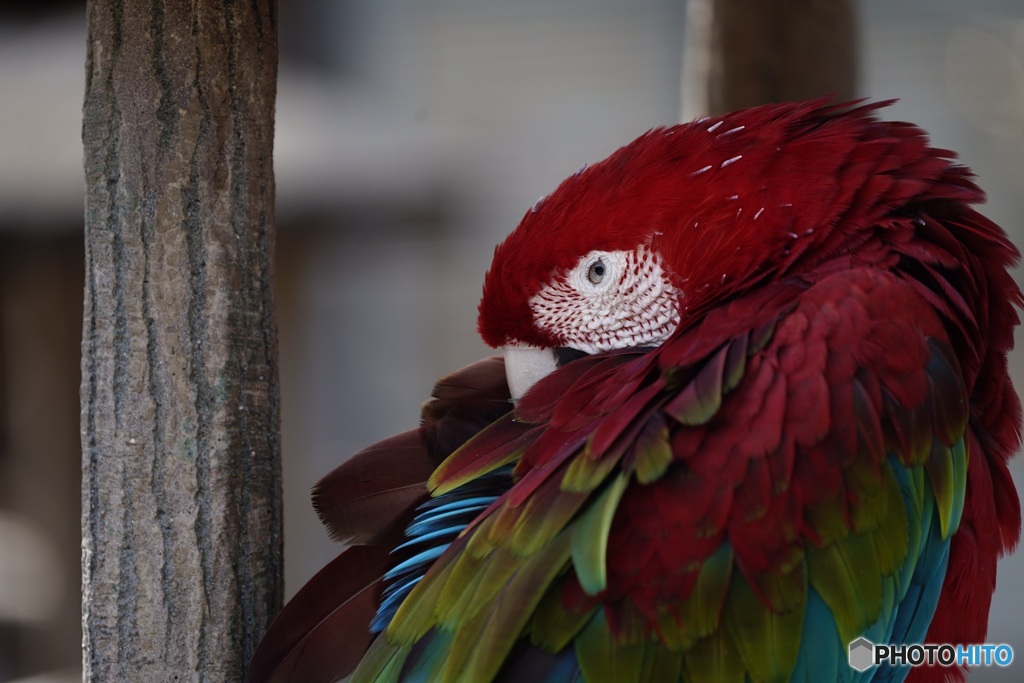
{"x": 746, "y": 53}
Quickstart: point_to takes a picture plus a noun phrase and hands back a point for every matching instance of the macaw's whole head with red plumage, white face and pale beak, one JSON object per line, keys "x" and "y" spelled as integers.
{"x": 628, "y": 249}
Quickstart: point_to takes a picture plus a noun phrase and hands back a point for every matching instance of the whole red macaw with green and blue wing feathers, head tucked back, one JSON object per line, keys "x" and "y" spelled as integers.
{"x": 759, "y": 409}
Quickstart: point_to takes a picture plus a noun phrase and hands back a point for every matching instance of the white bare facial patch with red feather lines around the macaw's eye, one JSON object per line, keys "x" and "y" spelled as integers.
{"x": 610, "y": 301}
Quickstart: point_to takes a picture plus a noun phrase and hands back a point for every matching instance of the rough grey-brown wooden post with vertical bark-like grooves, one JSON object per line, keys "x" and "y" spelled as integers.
{"x": 182, "y": 556}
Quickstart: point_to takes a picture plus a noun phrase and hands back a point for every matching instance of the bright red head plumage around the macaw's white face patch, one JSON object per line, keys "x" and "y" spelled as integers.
{"x": 724, "y": 203}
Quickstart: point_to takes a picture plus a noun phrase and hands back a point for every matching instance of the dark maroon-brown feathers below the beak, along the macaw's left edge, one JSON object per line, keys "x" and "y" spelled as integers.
{"x": 368, "y": 501}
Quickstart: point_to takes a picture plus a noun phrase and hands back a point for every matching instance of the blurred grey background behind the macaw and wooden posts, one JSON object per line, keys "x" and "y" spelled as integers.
{"x": 411, "y": 138}
